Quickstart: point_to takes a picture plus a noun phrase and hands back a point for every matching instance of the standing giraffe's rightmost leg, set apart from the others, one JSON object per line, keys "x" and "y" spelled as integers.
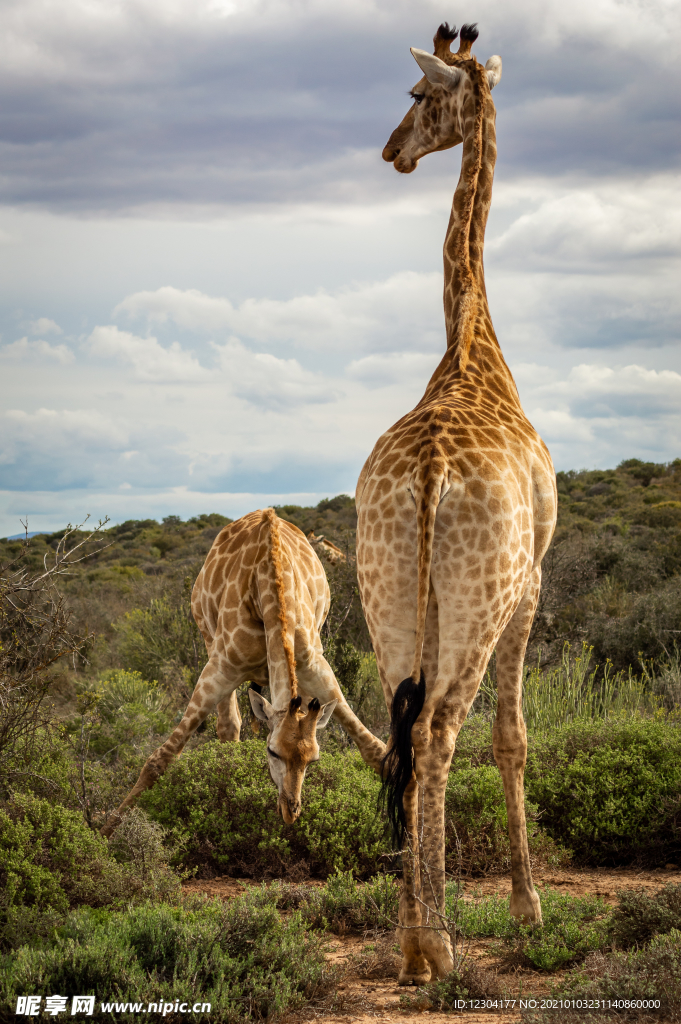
{"x": 510, "y": 748}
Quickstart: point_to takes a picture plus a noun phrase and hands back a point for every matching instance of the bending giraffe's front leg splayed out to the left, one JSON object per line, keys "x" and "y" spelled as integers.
{"x": 214, "y": 684}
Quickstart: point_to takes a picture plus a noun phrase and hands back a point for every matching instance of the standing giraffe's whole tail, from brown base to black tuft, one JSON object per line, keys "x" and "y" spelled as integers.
{"x": 408, "y": 701}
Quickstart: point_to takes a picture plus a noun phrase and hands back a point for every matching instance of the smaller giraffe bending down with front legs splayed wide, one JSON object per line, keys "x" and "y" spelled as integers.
{"x": 260, "y": 602}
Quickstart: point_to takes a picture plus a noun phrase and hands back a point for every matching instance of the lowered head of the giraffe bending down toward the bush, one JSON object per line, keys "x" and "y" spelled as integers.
{"x": 292, "y": 746}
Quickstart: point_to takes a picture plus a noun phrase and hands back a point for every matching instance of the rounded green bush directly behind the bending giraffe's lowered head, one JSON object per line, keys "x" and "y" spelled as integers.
{"x": 220, "y": 802}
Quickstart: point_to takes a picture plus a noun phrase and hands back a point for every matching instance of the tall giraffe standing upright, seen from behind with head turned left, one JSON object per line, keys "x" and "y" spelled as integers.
{"x": 457, "y": 506}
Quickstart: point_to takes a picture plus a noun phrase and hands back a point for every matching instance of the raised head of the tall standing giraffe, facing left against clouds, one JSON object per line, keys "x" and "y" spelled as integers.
{"x": 436, "y": 121}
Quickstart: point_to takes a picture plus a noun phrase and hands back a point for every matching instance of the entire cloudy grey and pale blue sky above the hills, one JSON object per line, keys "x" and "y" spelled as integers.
{"x": 217, "y": 295}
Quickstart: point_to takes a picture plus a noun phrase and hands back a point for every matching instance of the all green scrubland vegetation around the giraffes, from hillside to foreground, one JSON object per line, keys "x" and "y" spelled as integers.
{"x": 98, "y": 666}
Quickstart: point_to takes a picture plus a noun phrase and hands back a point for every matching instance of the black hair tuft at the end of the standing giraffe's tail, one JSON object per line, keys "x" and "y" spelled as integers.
{"x": 399, "y": 763}
